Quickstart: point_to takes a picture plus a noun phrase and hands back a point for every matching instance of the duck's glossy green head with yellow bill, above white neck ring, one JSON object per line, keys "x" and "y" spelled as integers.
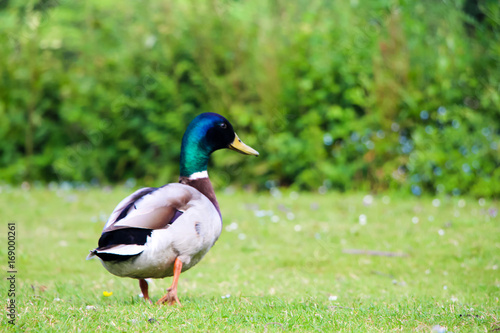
{"x": 207, "y": 133}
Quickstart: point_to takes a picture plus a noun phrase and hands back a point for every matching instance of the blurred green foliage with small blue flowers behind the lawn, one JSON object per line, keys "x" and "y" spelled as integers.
{"x": 376, "y": 95}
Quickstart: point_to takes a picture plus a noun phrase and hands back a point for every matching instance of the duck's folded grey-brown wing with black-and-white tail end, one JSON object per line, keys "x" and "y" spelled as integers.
{"x": 136, "y": 216}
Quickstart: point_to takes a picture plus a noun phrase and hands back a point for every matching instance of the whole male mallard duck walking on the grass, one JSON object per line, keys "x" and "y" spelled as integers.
{"x": 159, "y": 232}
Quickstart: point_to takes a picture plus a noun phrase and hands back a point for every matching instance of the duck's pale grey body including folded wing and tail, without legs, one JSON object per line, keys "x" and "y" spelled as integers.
{"x": 152, "y": 227}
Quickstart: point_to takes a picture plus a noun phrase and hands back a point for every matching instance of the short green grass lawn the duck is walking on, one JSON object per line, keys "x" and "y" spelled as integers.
{"x": 285, "y": 261}
